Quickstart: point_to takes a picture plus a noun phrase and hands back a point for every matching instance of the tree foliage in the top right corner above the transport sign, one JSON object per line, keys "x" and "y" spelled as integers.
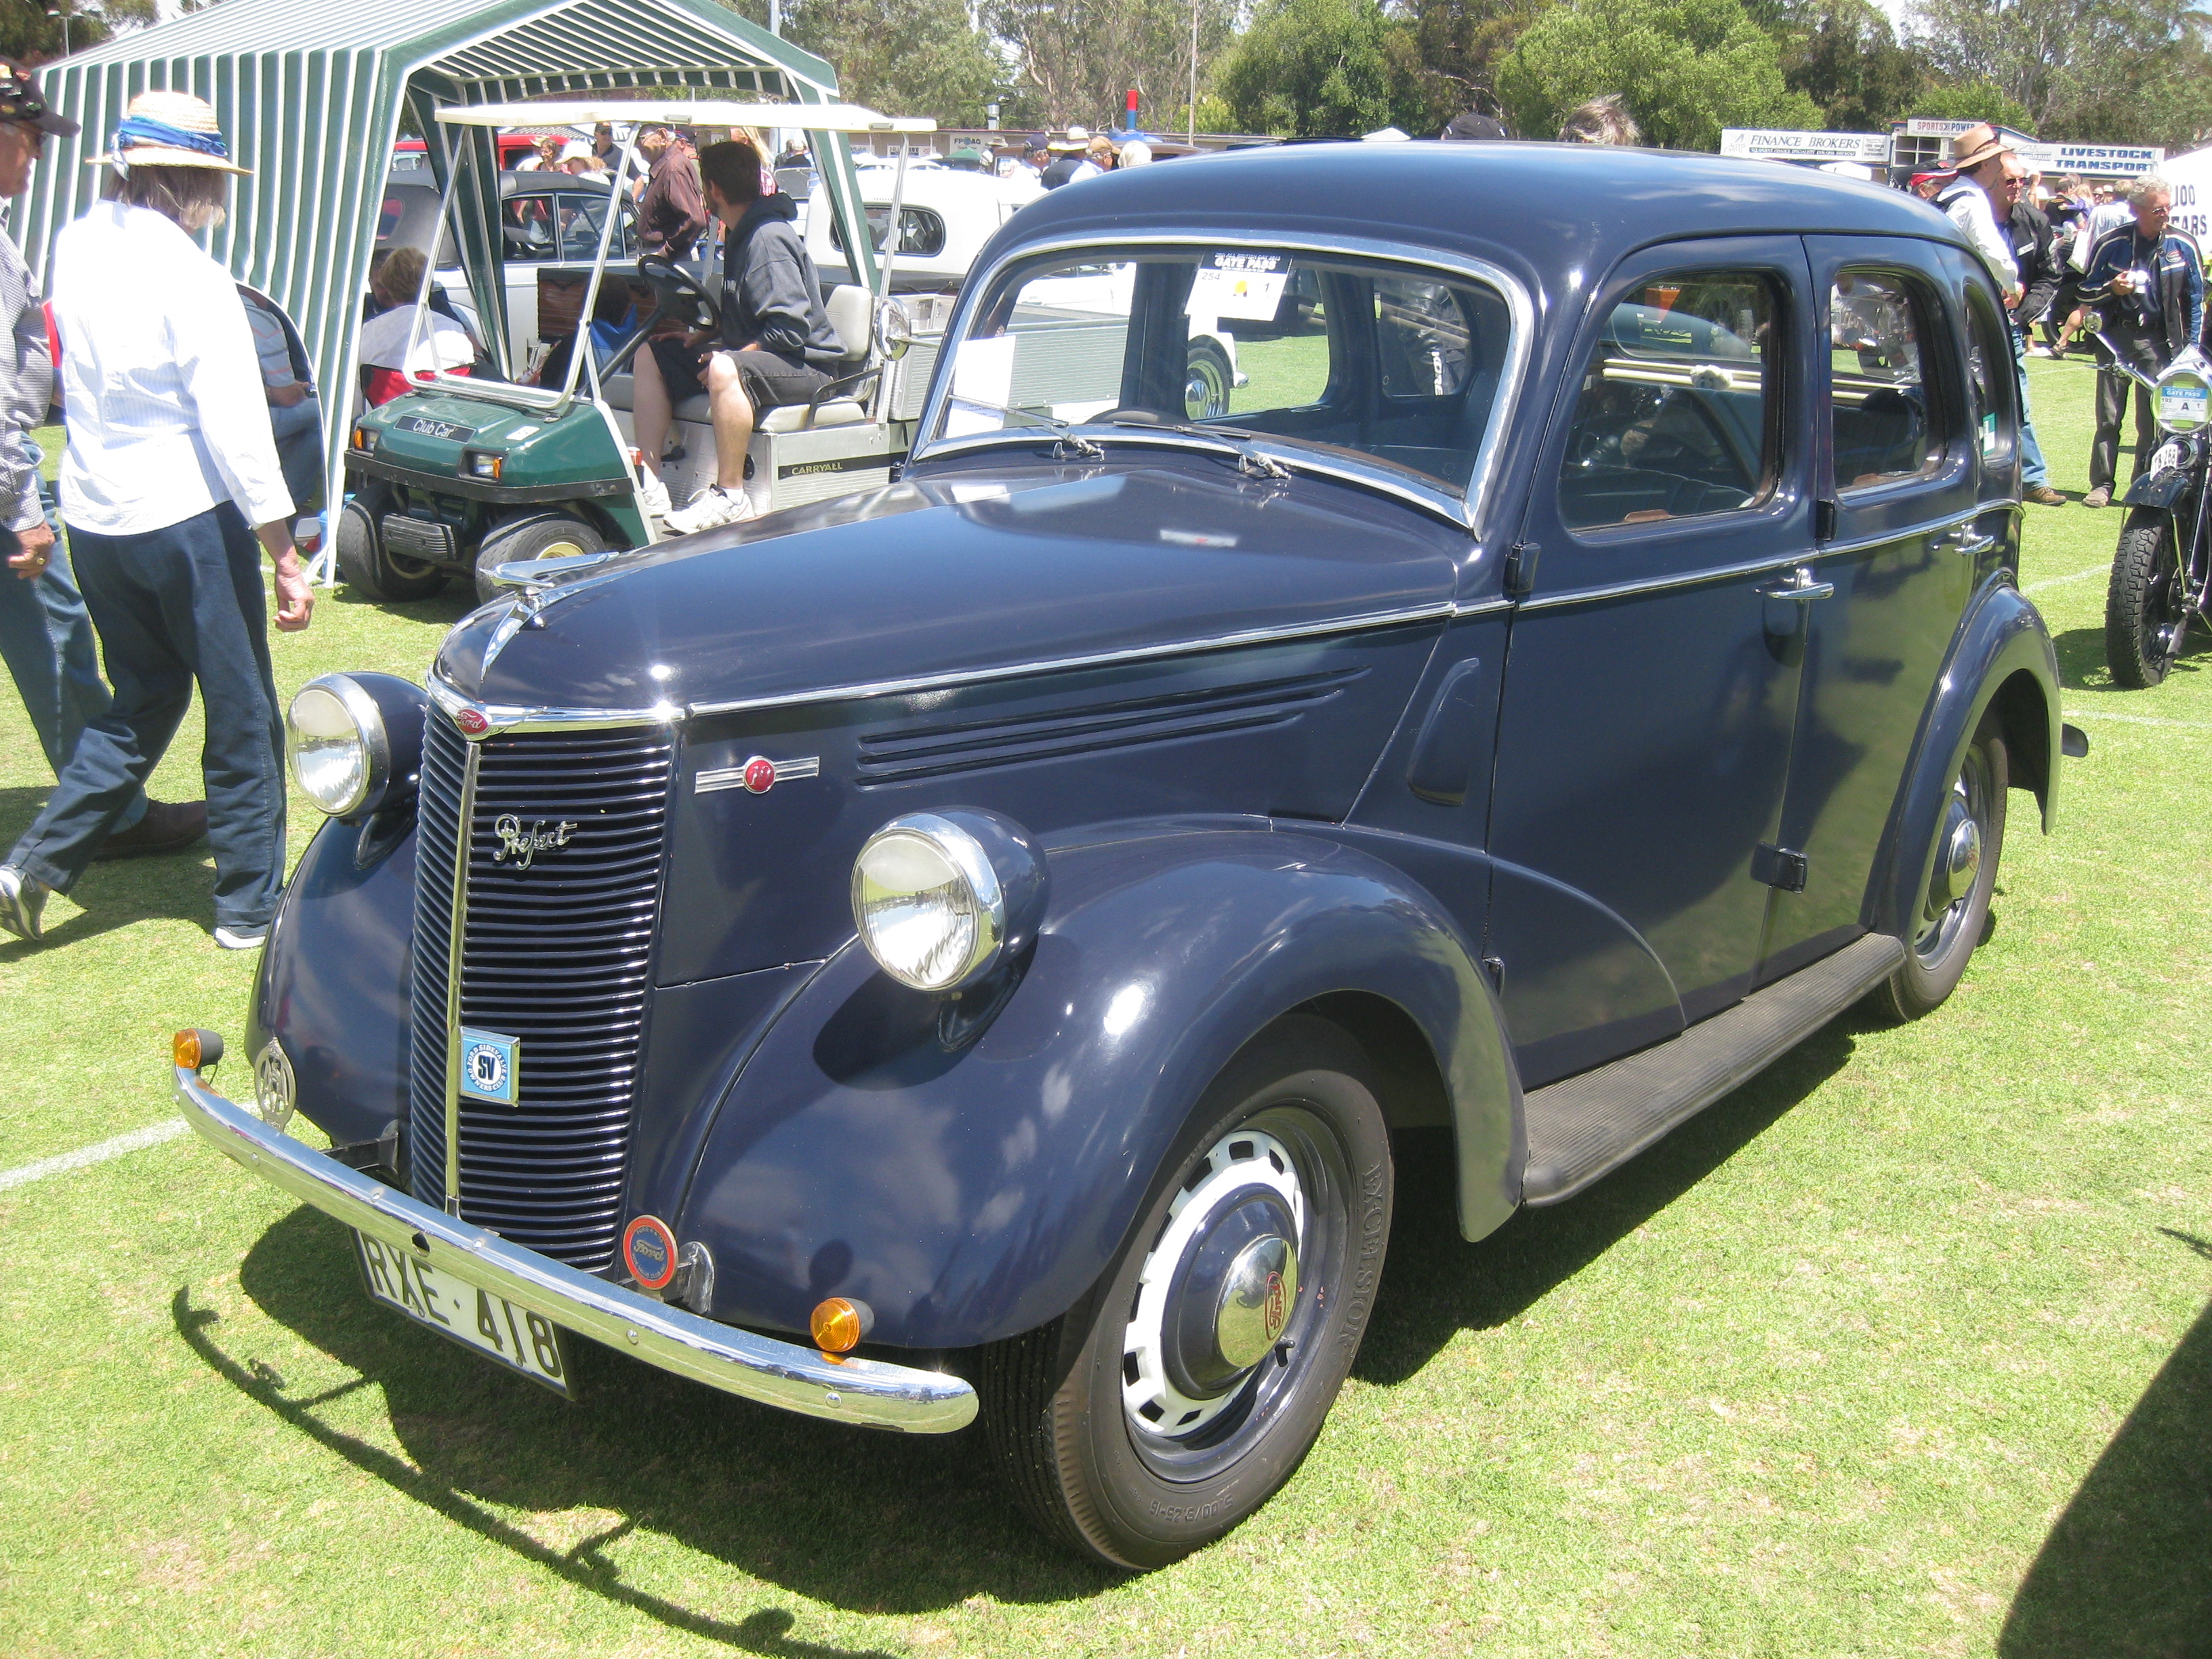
{"x": 2118, "y": 72}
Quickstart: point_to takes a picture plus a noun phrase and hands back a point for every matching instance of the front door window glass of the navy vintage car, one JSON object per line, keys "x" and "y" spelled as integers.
{"x": 1676, "y": 417}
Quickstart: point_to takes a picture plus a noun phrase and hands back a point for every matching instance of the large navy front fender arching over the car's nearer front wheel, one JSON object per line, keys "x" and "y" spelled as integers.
{"x": 977, "y": 1193}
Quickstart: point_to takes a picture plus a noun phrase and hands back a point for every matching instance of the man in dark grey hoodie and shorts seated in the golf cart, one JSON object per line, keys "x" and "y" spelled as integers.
{"x": 775, "y": 344}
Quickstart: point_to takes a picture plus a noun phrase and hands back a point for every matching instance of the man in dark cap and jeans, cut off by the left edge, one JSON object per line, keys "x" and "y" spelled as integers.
{"x": 45, "y": 634}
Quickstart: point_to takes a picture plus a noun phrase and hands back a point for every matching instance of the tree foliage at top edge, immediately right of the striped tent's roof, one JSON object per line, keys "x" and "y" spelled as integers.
{"x": 901, "y": 56}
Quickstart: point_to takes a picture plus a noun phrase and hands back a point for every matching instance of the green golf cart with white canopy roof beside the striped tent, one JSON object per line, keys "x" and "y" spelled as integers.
{"x": 468, "y": 472}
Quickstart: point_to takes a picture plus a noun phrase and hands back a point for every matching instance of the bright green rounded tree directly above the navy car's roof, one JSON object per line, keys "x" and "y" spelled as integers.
{"x": 1687, "y": 70}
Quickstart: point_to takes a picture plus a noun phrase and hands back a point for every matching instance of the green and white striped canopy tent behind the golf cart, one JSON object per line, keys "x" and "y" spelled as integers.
{"x": 311, "y": 96}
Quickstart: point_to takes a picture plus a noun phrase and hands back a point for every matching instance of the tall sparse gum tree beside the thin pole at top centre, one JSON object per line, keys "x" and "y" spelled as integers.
{"x": 1076, "y": 59}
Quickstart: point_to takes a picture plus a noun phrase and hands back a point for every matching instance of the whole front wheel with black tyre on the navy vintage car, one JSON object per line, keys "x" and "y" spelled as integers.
{"x": 1193, "y": 1379}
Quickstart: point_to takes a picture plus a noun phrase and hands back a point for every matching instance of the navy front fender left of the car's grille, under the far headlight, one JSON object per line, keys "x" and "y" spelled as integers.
{"x": 335, "y": 979}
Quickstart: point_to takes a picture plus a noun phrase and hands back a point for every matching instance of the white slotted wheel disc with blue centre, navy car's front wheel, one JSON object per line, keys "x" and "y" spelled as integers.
{"x": 1218, "y": 1288}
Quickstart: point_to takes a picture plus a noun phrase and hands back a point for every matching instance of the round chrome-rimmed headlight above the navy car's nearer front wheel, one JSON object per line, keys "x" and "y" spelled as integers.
{"x": 939, "y": 899}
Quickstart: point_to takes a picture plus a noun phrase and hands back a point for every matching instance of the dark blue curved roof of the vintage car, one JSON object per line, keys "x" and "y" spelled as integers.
{"x": 1538, "y": 209}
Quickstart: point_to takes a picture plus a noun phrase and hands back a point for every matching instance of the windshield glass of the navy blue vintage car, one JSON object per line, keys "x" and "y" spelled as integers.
{"x": 1335, "y": 353}
